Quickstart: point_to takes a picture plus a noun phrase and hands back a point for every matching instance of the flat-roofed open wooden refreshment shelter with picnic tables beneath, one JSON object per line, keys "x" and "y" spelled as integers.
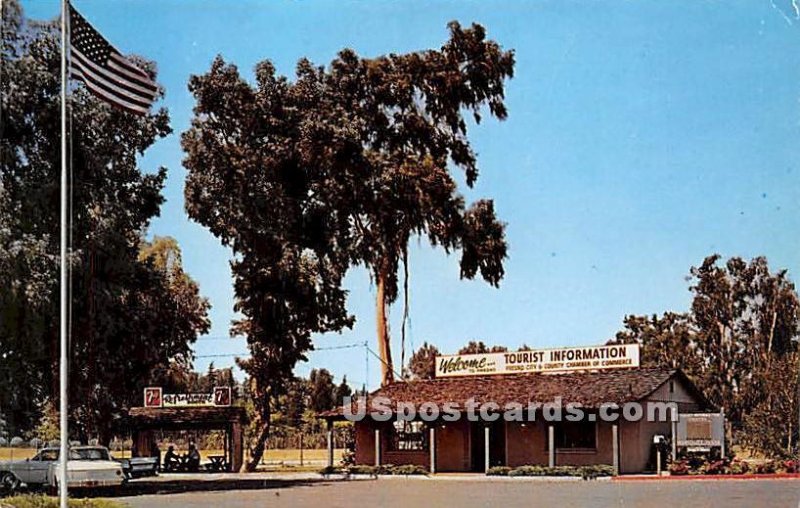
{"x": 145, "y": 421}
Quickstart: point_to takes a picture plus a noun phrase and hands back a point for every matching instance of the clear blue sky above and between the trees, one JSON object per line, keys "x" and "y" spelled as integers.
{"x": 642, "y": 137}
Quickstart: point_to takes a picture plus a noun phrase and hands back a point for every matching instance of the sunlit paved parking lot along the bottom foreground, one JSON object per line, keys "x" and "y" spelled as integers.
{"x": 462, "y": 493}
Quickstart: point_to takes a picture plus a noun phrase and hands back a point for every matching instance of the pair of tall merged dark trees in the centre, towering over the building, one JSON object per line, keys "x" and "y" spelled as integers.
{"x": 305, "y": 179}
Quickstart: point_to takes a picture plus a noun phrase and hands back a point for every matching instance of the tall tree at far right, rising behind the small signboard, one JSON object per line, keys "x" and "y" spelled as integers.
{"x": 746, "y": 317}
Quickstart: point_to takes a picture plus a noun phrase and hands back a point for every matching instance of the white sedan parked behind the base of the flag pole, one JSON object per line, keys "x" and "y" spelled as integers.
{"x": 87, "y": 467}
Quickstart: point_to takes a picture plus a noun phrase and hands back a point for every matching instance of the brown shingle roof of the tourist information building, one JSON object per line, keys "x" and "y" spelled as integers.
{"x": 589, "y": 389}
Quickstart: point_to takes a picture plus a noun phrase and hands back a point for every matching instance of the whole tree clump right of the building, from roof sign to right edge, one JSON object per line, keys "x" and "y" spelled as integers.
{"x": 736, "y": 345}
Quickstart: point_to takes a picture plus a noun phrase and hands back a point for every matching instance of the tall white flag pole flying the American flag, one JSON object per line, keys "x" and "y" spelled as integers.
{"x": 63, "y": 335}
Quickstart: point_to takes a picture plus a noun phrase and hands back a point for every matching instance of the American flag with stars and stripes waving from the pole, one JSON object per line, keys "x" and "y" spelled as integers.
{"x": 104, "y": 71}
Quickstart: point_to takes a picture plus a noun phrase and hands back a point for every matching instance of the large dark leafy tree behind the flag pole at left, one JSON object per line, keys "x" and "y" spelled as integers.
{"x": 125, "y": 317}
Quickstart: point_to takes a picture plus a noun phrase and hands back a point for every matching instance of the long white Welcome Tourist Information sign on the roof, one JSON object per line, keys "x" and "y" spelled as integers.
{"x": 540, "y": 360}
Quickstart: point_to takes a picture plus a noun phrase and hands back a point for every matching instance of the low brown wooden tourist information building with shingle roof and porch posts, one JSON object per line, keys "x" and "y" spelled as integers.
{"x": 463, "y": 445}
